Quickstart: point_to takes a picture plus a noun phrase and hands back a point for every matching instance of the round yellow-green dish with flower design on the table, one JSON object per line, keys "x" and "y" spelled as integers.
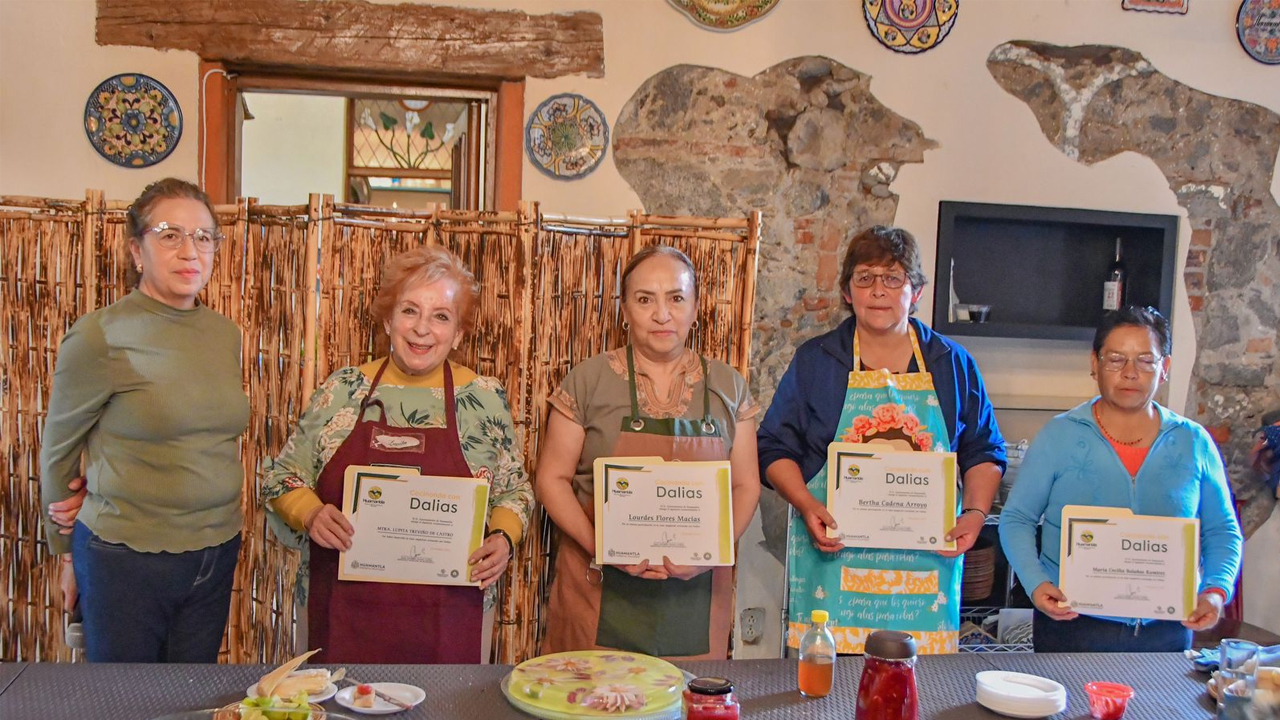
{"x": 596, "y": 685}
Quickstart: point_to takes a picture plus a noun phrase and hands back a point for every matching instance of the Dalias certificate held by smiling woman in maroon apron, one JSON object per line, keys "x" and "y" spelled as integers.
{"x": 410, "y": 528}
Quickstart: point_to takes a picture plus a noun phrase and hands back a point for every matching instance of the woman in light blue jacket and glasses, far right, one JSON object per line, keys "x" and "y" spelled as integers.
{"x": 1122, "y": 450}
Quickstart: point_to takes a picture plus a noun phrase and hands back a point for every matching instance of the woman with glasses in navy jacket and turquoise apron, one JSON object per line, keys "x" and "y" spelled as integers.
{"x": 881, "y": 377}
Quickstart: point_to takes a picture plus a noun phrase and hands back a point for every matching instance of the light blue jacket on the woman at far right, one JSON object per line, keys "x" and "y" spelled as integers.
{"x": 1071, "y": 463}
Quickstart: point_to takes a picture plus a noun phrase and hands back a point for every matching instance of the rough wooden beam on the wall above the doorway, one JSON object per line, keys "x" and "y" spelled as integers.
{"x": 355, "y": 35}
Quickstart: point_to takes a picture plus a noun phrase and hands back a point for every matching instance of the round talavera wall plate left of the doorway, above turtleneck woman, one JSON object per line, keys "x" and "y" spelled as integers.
{"x": 132, "y": 121}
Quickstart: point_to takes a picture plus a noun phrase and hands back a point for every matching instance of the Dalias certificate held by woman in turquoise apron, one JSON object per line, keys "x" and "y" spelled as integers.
{"x": 889, "y": 499}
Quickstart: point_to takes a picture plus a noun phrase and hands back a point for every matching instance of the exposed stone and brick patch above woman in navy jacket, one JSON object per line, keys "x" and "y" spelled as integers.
{"x": 806, "y": 143}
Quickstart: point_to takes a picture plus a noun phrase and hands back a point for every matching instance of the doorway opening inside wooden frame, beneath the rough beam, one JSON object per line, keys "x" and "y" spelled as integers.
{"x": 388, "y": 145}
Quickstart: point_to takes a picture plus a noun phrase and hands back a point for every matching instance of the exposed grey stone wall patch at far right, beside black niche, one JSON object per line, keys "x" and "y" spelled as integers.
{"x": 1219, "y": 157}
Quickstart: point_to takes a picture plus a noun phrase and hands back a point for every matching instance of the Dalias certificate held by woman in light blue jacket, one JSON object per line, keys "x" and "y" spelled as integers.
{"x": 1117, "y": 564}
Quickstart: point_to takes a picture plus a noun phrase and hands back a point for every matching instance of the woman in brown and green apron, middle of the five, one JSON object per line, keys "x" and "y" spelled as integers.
{"x": 653, "y": 398}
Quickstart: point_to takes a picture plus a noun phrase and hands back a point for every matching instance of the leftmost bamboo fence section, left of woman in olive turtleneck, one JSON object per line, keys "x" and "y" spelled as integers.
{"x": 43, "y": 274}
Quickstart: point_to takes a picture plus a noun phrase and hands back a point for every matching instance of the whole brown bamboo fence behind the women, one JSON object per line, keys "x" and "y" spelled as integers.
{"x": 300, "y": 281}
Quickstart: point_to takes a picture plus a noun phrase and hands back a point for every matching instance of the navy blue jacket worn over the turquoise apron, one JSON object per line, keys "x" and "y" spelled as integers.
{"x": 806, "y": 411}
